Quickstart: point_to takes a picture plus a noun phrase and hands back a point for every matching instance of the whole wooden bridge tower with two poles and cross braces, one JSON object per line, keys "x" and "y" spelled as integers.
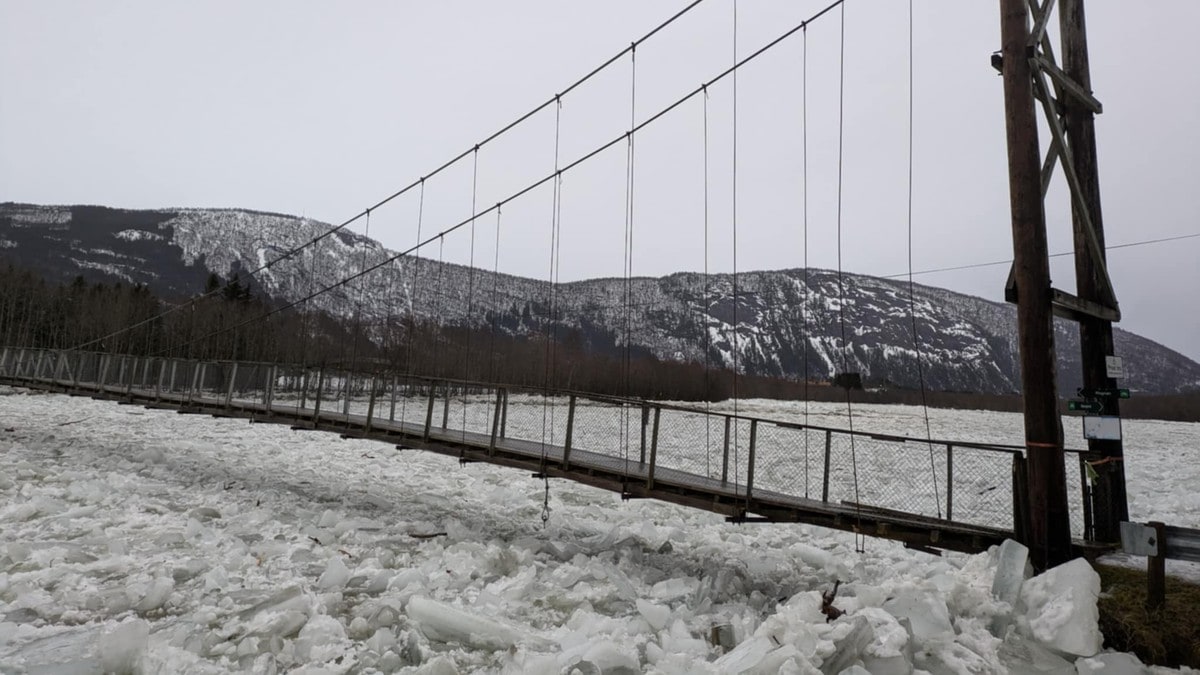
{"x": 1031, "y": 79}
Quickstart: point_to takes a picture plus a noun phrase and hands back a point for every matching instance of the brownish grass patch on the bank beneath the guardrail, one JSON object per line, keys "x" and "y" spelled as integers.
{"x": 1169, "y": 637}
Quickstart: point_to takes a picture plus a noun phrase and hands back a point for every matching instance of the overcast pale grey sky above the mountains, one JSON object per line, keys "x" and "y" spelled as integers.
{"x": 325, "y": 109}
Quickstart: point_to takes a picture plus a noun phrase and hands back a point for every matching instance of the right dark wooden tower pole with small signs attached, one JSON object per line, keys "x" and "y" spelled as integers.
{"x": 1111, "y": 504}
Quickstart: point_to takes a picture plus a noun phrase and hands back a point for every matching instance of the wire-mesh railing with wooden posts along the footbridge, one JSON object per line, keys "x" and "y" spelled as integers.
{"x": 961, "y": 482}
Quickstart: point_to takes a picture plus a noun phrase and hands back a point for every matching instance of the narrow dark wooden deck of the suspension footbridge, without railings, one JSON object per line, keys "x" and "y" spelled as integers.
{"x": 632, "y": 480}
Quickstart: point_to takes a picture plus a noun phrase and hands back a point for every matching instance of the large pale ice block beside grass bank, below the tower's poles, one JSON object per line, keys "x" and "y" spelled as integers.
{"x": 1061, "y": 608}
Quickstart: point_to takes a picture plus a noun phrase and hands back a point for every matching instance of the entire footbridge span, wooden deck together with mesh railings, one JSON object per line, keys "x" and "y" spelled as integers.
{"x": 753, "y": 475}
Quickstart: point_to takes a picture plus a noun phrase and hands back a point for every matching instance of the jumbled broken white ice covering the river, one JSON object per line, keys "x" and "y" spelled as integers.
{"x": 146, "y": 541}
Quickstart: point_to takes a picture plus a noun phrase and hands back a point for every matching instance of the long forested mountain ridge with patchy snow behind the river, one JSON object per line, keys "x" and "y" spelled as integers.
{"x": 782, "y": 324}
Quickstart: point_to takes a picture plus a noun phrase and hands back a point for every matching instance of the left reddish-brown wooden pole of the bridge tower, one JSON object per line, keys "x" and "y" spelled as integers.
{"x": 1049, "y": 528}
